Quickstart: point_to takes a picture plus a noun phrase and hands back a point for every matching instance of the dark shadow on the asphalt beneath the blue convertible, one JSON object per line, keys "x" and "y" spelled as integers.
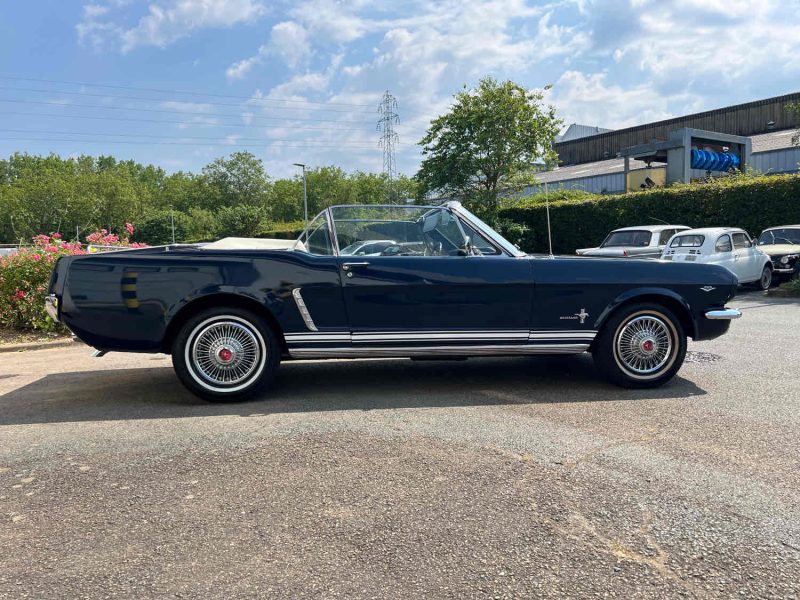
{"x": 156, "y": 393}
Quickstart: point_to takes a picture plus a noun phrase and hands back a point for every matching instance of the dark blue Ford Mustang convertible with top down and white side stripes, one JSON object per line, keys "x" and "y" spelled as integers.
{"x": 437, "y": 282}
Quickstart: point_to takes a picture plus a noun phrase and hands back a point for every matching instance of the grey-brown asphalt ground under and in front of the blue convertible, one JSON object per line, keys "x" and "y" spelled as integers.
{"x": 494, "y": 478}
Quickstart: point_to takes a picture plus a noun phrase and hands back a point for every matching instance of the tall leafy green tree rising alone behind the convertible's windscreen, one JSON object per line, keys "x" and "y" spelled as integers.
{"x": 487, "y": 144}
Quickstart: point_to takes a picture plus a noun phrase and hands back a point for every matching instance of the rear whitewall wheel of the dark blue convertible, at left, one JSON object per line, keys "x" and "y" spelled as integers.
{"x": 225, "y": 354}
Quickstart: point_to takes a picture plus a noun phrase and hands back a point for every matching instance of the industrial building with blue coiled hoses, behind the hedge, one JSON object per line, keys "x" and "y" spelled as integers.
{"x": 755, "y": 136}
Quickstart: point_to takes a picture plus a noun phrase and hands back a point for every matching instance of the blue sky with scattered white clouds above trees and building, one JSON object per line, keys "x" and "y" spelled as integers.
{"x": 178, "y": 83}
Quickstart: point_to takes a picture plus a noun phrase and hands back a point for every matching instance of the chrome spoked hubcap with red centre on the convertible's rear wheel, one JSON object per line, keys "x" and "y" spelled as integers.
{"x": 226, "y": 353}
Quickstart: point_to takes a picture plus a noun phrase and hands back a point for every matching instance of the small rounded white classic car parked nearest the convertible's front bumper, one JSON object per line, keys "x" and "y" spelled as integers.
{"x": 727, "y": 246}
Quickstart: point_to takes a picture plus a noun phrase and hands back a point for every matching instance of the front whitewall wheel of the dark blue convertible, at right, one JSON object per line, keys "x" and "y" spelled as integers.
{"x": 640, "y": 346}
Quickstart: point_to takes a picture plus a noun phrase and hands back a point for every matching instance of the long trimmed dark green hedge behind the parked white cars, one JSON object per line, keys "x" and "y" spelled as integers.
{"x": 752, "y": 203}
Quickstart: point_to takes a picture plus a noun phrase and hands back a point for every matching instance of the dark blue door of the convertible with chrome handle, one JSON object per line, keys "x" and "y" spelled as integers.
{"x": 442, "y": 297}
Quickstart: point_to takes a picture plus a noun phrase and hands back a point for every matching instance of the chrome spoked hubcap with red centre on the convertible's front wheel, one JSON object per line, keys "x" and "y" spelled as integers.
{"x": 644, "y": 345}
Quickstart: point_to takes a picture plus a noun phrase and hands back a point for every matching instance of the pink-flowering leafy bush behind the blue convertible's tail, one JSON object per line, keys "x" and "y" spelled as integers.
{"x": 23, "y": 282}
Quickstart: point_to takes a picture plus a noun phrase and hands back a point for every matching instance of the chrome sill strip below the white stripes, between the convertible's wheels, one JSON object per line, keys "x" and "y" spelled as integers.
{"x": 404, "y": 352}
